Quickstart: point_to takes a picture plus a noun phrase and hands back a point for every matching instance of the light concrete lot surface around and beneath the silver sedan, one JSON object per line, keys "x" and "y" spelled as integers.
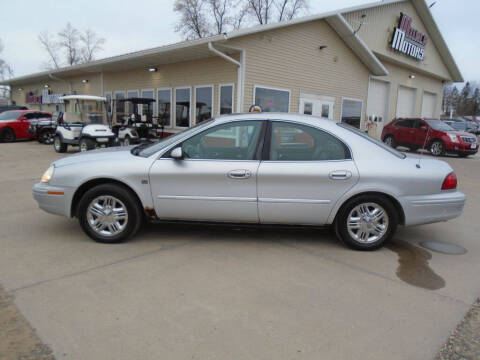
{"x": 195, "y": 292}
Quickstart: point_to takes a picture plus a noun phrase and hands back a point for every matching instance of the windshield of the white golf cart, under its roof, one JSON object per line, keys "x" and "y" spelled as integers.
{"x": 85, "y": 112}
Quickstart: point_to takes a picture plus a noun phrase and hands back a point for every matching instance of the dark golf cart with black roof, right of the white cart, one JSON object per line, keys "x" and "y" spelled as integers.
{"x": 137, "y": 125}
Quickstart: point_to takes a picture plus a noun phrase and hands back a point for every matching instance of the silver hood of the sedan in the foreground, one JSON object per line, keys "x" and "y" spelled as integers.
{"x": 119, "y": 153}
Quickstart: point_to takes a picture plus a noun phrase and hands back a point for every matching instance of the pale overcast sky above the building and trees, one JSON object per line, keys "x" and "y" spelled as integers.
{"x": 135, "y": 25}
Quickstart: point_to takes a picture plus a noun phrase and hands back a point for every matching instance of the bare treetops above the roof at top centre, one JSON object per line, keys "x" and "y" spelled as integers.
{"x": 201, "y": 18}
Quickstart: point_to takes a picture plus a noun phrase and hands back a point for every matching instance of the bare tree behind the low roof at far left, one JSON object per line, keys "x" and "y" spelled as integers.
{"x": 76, "y": 46}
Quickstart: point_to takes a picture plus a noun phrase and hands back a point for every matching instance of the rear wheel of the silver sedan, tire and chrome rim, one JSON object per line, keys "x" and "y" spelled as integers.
{"x": 356, "y": 224}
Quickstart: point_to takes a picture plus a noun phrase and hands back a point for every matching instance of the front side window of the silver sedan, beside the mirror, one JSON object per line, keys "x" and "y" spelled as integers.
{"x": 232, "y": 141}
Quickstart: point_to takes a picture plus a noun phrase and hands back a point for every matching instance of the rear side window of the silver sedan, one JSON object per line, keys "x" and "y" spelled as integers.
{"x": 295, "y": 142}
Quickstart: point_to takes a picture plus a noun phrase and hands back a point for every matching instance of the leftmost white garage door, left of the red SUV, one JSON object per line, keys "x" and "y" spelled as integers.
{"x": 377, "y": 104}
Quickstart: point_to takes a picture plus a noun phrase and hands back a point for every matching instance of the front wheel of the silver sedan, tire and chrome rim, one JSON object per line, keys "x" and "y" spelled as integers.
{"x": 116, "y": 198}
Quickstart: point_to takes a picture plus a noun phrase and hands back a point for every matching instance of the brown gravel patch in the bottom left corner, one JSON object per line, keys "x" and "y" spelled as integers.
{"x": 18, "y": 340}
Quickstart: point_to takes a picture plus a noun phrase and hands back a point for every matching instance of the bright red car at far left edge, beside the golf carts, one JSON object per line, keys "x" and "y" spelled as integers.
{"x": 14, "y": 124}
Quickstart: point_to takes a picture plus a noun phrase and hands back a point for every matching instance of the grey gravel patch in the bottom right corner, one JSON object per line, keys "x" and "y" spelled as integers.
{"x": 464, "y": 343}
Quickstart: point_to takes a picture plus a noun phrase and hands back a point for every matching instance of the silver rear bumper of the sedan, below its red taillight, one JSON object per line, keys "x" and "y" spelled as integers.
{"x": 426, "y": 209}
